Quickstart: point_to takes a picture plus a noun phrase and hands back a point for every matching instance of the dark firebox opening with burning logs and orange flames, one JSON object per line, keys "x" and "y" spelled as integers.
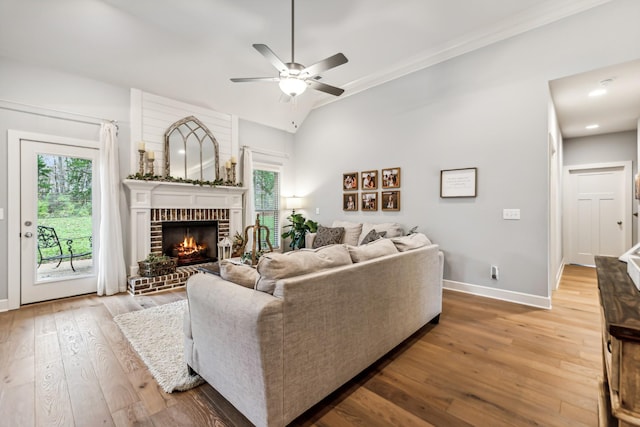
{"x": 192, "y": 242}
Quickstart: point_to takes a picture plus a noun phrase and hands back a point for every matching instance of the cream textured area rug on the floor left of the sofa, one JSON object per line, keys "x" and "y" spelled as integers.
{"x": 156, "y": 334}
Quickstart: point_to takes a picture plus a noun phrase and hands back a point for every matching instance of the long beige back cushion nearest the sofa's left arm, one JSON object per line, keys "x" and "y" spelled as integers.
{"x": 274, "y": 266}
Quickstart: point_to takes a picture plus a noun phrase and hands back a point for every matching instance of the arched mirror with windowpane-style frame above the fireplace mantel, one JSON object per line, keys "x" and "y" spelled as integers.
{"x": 191, "y": 151}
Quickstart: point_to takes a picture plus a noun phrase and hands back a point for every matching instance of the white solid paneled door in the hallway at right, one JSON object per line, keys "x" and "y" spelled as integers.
{"x": 597, "y": 211}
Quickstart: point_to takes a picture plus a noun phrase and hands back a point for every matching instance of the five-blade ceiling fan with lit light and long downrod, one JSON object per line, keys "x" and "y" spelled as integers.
{"x": 294, "y": 78}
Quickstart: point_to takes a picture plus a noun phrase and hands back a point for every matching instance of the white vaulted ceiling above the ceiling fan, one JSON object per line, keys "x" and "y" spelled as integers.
{"x": 188, "y": 50}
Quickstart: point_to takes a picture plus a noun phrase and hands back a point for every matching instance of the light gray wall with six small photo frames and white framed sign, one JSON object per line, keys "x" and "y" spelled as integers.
{"x": 486, "y": 109}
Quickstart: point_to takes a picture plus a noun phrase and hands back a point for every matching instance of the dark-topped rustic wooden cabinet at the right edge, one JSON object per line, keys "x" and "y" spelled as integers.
{"x": 619, "y": 403}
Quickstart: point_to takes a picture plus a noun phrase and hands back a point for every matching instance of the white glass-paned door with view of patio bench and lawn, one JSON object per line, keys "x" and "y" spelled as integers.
{"x": 58, "y": 219}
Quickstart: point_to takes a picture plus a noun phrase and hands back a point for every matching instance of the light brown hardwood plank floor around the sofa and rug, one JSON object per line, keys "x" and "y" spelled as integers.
{"x": 488, "y": 363}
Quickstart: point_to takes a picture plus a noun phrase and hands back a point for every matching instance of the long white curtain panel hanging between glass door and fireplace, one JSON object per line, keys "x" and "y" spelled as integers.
{"x": 112, "y": 276}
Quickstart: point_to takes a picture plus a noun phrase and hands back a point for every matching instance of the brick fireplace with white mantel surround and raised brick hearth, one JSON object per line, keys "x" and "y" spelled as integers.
{"x": 154, "y": 203}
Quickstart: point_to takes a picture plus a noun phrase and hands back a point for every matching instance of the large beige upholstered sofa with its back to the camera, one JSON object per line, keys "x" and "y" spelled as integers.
{"x": 274, "y": 353}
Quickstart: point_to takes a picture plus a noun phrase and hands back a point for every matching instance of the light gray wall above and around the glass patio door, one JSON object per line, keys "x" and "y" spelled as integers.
{"x": 50, "y": 89}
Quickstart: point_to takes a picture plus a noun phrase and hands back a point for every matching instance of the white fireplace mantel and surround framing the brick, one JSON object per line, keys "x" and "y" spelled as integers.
{"x": 143, "y": 196}
